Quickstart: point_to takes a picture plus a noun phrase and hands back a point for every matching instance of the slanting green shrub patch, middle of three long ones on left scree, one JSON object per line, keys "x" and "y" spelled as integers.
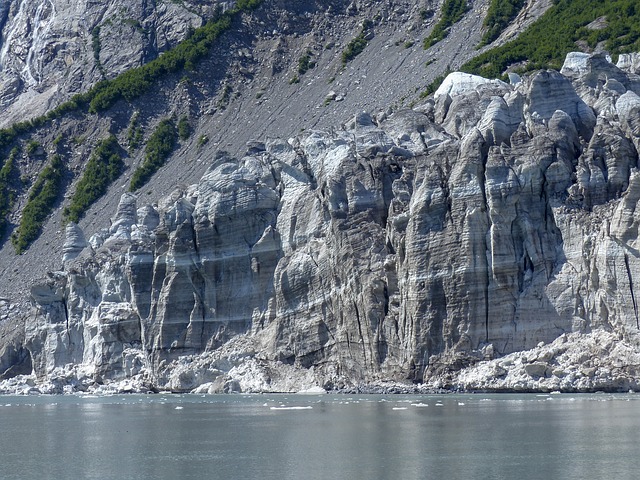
{"x": 104, "y": 166}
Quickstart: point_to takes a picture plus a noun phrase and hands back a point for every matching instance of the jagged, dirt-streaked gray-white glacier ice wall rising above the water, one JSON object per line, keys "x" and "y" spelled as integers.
{"x": 395, "y": 248}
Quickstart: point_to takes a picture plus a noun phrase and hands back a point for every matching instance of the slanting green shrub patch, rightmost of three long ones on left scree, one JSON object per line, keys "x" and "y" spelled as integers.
{"x": 159, "y": 147}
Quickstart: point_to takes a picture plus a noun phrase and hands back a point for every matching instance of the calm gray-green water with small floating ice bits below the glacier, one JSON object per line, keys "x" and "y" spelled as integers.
{"x": 321, "y": 437}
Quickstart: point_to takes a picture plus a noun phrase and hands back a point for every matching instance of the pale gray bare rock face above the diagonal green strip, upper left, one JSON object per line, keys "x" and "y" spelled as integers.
{"x": 52, "y": 49}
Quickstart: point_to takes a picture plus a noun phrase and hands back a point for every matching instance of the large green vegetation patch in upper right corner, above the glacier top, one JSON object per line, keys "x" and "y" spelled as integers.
{"x": 547, "y": 41}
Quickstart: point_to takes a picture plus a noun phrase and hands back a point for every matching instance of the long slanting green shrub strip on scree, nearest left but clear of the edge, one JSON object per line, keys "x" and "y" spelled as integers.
{"x": 40, "y": 202}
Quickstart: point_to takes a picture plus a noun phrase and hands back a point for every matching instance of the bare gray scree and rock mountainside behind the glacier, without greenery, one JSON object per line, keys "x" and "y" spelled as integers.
{"x": 243, "y": 90}
